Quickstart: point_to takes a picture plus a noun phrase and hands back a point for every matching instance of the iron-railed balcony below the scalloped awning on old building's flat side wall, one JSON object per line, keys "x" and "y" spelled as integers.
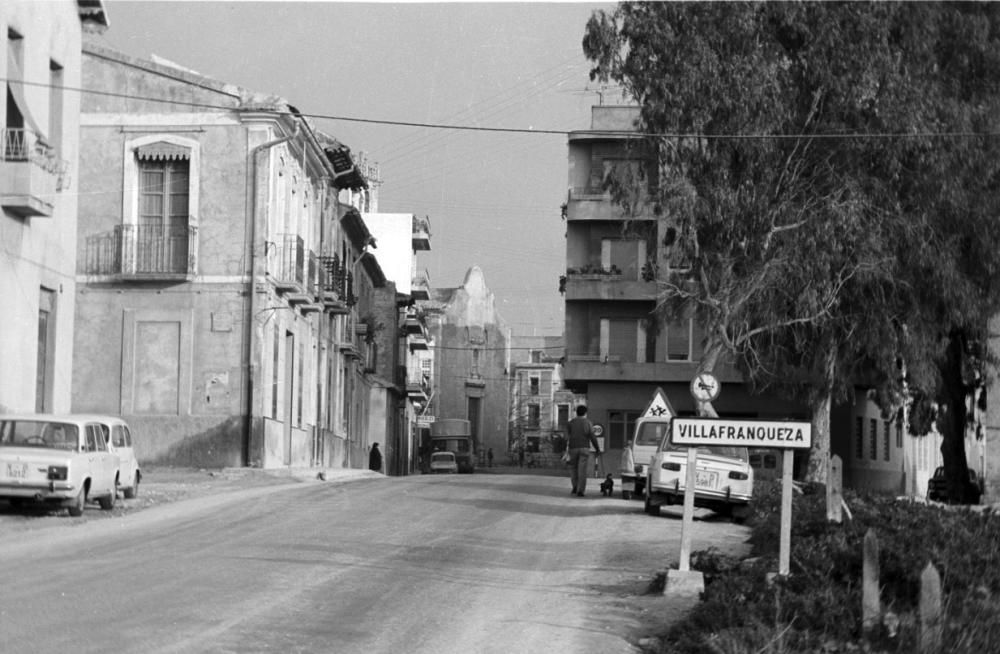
{"x": 143, "y": 252}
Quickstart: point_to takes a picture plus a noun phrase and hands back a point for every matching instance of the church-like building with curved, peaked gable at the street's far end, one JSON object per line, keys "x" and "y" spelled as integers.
{"x": 471, "y": 360}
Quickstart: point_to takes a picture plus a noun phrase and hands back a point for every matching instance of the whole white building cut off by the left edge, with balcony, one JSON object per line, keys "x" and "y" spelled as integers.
{"x": 39, "y": 148}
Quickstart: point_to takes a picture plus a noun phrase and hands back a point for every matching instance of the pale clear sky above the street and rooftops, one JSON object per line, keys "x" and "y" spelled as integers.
{"x": 493, "y": 198}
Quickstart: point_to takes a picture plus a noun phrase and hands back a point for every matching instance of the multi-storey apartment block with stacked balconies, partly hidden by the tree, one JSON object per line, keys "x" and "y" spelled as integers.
{"x": 617, "y": 350}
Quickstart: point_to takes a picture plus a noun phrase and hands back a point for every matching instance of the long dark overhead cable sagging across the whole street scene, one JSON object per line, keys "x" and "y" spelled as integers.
{"x": 549, "y": 132}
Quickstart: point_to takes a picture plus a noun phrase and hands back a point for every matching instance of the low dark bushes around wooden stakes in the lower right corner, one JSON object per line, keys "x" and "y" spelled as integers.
{"x": 817, "y": 608}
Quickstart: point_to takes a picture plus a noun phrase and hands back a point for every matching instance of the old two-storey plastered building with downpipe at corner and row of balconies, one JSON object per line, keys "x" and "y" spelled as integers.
{"x": 223, "y": 274}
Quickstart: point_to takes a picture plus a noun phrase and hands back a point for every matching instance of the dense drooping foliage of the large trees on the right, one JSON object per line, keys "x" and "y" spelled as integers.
{"x": 831, "y": 173}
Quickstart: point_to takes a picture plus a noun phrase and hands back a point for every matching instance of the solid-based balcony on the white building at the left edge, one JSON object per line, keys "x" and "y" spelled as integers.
{"x": 30, "y": 174}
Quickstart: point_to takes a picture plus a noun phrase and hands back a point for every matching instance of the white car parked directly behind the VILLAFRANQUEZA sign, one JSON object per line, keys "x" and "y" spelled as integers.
{"x": 723, "y": 479}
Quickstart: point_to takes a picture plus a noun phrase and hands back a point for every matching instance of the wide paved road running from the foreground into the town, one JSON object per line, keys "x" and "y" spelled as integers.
{"x": 480, "y": 563}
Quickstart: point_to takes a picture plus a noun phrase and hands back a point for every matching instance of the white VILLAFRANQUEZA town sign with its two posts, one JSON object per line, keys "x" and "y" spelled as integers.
{"x": 786, "y": 435}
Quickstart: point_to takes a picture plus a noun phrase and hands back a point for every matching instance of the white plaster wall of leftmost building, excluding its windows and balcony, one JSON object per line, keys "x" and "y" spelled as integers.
{"x": 39, "y": 251}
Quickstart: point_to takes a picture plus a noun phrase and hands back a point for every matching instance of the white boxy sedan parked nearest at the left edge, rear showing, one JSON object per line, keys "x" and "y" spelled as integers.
{"x": 57, "y": 460}
